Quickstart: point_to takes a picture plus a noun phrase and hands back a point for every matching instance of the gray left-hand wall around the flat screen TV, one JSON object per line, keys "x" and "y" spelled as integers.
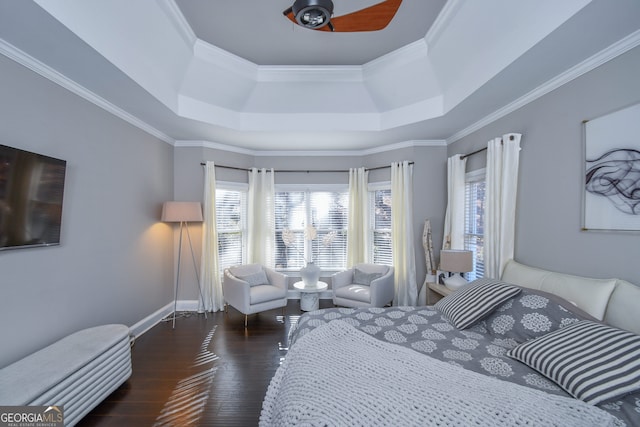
{"x": 115, "y": 262}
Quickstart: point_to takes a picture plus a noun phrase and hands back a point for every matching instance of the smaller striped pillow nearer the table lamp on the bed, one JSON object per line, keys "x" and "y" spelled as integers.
{"x": 475, "y": 301}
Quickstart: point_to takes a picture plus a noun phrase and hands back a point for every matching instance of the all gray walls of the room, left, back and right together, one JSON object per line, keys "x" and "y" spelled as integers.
{"x": 115, "y": 264}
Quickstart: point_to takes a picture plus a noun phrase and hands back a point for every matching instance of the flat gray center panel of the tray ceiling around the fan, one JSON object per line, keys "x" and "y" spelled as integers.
{"x": 258, "y": 31}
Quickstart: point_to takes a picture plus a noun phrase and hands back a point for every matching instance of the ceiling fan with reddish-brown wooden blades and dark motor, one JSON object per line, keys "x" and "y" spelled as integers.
{"x": 318, "y": 15}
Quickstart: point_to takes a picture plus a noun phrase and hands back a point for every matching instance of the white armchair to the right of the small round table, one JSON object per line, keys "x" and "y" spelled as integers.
{"x": 364, "y": 285}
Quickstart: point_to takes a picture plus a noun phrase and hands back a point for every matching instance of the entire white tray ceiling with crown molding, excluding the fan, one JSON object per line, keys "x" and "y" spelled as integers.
{"x": 241, "y": 76}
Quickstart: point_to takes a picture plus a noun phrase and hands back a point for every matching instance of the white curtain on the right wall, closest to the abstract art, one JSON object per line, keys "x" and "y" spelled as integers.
{"x": 500, "y": 209}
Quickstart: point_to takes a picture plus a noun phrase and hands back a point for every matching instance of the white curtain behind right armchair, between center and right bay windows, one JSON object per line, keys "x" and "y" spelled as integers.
{"x": 357, "y": 225}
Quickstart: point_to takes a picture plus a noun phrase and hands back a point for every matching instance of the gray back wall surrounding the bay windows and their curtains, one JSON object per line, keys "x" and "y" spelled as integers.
{"x": 429, "y": 187}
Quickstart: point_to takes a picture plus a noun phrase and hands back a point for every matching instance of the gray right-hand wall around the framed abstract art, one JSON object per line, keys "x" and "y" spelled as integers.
{"x": 548, "y": 221}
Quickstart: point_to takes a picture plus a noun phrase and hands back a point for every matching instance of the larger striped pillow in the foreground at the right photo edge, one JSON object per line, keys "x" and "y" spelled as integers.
{"x": 591, "y": 361}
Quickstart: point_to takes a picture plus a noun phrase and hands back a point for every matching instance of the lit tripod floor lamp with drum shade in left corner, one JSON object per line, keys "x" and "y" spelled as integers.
{"x": 184, "y": 213}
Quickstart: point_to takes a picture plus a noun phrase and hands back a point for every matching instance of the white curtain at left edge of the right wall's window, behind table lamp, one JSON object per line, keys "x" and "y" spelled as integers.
{"x": 454, "y": 215}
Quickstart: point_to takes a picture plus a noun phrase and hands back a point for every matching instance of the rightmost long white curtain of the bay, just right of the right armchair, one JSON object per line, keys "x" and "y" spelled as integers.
{"x": 404, "y": 260}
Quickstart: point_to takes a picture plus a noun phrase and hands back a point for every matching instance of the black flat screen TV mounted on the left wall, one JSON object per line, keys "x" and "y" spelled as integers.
{"x": 31, "y": 190}
